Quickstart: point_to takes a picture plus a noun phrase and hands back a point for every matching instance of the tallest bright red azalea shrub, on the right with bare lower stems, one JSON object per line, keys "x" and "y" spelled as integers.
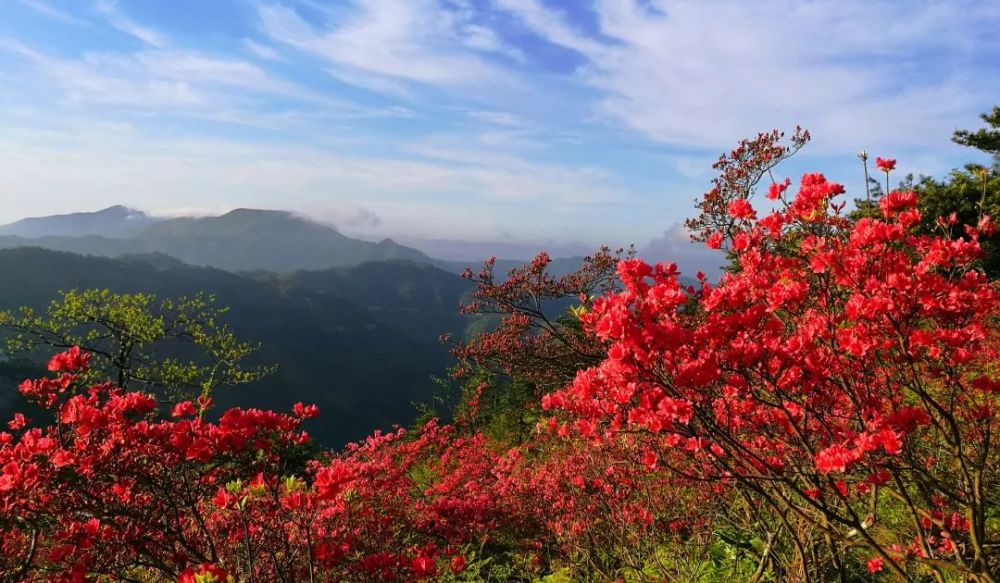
{"x": 845, "y": 376}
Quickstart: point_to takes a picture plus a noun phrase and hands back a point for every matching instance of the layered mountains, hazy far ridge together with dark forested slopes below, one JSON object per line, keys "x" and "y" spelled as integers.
{"x": 353, "y": 325}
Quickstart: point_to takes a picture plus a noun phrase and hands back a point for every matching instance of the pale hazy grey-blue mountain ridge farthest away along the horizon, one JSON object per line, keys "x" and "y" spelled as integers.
{"x": 284, "y": 242}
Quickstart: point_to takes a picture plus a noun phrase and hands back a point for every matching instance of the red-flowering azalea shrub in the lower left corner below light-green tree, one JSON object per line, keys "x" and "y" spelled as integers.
{"x": 111, "y": 487}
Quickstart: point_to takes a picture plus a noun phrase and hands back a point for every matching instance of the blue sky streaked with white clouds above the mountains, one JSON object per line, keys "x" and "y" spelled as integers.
{"x": 559, "y": 121}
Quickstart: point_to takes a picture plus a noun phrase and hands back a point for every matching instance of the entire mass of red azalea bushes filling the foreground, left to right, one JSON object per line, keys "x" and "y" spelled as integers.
{"x": 827, "y": 410}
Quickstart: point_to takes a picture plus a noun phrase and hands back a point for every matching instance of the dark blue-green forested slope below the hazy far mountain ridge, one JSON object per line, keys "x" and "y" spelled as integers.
{"x": 360, "y": 342}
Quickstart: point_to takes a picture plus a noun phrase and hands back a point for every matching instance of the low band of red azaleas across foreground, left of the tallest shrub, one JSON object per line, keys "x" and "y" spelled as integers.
{"x": 113, "y": 488}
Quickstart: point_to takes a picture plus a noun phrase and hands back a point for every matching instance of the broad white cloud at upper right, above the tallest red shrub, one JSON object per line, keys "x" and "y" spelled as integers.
{"x": 856, "y": 72}
